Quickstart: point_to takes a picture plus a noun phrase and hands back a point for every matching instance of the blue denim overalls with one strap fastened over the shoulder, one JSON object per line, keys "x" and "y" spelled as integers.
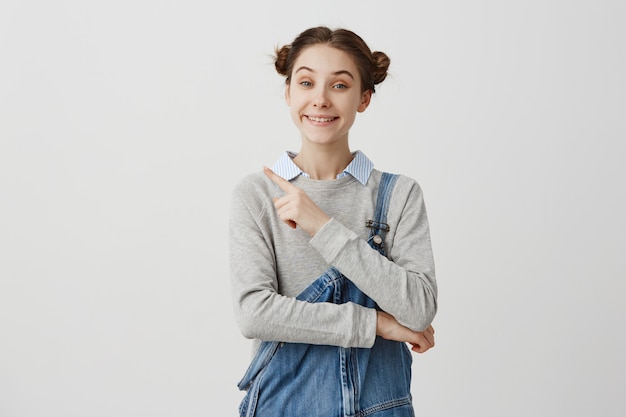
{"x": 305, "y": 380}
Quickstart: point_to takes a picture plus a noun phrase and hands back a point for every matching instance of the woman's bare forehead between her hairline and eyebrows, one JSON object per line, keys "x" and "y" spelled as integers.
{"x": 325, "y": 59}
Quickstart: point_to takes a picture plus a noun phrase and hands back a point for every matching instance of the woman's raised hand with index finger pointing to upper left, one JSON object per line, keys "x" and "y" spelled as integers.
{"x": 296, "y": 208}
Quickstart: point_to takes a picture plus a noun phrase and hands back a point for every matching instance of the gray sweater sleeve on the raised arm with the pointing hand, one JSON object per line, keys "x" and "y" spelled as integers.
{"x": 404, "y": 286}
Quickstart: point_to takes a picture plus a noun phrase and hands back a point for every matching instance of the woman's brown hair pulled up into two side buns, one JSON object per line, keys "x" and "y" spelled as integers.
{"x": 372, "y": 65}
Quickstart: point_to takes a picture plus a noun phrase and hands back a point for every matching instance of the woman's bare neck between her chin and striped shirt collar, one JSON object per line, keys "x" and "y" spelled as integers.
{"x": 323, "y": 162}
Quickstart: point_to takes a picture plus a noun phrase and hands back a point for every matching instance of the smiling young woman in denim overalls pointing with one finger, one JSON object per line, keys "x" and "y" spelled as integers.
{"x": 331, "y": 261}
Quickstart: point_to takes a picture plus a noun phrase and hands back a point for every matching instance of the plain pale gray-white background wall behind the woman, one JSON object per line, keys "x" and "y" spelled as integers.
{"x": 124, "y": 126}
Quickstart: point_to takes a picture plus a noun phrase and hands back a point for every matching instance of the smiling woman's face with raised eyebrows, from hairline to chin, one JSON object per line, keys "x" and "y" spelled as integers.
{"x": 324, "y": 94}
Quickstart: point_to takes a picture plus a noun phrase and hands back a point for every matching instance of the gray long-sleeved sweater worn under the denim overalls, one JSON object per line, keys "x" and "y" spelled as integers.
{"x": 272, "y": 263}
